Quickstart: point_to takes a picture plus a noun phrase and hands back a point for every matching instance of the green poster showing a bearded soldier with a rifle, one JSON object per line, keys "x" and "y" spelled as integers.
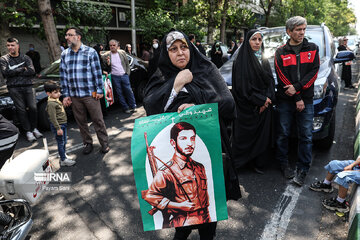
{"x": 178, "y": 168}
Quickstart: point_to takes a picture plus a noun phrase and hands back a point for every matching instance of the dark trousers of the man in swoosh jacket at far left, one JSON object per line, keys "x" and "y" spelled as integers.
{"x": 24, "y": 98}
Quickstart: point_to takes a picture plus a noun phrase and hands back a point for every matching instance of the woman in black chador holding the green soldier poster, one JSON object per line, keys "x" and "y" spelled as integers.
{"x": 186, "y": 77}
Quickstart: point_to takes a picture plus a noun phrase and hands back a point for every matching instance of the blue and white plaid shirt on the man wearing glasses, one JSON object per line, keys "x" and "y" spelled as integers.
{"x": 80, "y": 72}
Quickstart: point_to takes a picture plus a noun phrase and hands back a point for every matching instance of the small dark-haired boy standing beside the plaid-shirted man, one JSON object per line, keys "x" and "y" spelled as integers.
{"x": 58, "y": 120}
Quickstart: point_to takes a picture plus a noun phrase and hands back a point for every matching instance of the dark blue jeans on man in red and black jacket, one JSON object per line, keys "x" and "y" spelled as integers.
{"x": 304, "y": 122}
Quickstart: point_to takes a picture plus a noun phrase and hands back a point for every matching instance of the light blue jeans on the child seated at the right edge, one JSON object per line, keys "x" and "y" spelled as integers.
{"x": 343, "y": 178}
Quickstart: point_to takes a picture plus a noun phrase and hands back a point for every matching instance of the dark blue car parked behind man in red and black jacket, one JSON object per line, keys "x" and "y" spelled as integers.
{"x": 326, "y": 86}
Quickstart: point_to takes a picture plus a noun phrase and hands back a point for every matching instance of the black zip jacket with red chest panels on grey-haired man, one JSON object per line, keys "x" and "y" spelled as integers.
{"x": 298, "y": 70}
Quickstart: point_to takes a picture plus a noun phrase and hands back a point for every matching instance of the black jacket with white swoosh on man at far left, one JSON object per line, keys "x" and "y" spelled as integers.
{"x": 18, "y": 71}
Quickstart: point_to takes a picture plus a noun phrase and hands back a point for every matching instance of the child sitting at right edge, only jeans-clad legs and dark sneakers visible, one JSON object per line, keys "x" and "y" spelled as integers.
{"x": 347, "y": 171}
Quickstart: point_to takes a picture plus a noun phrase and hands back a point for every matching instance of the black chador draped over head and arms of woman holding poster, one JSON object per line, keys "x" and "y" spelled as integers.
{"x": 207, "y": 85}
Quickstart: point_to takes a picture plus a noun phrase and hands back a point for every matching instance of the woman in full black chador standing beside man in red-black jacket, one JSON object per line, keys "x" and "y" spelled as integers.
{"x": 253, "y": 91}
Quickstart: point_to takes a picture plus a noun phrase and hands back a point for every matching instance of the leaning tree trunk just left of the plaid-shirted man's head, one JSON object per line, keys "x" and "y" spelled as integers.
{"x": 50, "y": 29}
